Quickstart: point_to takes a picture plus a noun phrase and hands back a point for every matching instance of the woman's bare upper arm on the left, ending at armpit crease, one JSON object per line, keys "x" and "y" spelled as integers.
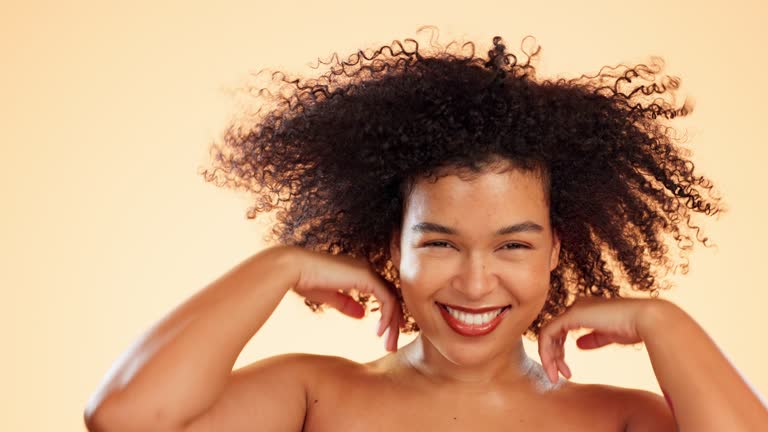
{"x": 269, "y": 394}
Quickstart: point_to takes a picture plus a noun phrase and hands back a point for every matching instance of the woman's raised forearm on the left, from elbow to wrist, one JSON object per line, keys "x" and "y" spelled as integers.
{"x": 177, "y": 370}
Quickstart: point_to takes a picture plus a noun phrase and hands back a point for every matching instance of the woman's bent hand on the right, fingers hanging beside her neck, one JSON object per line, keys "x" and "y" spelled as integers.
{"x": 611, "y": 320}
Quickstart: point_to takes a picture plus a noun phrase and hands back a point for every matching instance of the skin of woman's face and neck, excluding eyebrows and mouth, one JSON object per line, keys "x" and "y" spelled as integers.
{"x": 475, "y": 268}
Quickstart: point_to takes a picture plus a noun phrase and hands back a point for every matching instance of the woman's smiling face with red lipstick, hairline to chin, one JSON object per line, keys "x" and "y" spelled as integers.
{"x": 475, "y": 244}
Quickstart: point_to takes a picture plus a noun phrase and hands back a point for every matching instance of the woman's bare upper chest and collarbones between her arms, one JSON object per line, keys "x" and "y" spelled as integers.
{"x": 387, "y": 395}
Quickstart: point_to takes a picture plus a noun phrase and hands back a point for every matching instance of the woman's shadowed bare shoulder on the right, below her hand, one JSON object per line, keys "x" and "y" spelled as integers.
{"x": 642, "y": 410}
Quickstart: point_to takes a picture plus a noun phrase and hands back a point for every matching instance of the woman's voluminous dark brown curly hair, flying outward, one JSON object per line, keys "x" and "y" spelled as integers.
{"x": 337, "y": 156}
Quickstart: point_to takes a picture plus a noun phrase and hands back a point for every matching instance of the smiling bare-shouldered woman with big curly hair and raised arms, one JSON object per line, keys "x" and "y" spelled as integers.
{"x": 476, "y": 205}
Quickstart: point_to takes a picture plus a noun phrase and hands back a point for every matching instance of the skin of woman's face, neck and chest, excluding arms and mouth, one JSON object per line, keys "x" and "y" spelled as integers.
{"x": 445, "y": 381}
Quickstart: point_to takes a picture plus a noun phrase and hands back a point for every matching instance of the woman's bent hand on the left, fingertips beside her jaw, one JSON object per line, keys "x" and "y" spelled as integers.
{"x": 328, "y": 279}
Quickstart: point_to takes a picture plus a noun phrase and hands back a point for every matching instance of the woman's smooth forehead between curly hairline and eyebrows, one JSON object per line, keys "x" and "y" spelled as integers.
{"x": 488, "y": 196}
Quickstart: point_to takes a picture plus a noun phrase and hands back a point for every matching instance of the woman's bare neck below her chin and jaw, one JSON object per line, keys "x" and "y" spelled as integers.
{"x": 508, "y": 368}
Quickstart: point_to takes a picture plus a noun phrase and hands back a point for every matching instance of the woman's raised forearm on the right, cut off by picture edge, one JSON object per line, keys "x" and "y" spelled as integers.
{"x": 705, "y": 392}
